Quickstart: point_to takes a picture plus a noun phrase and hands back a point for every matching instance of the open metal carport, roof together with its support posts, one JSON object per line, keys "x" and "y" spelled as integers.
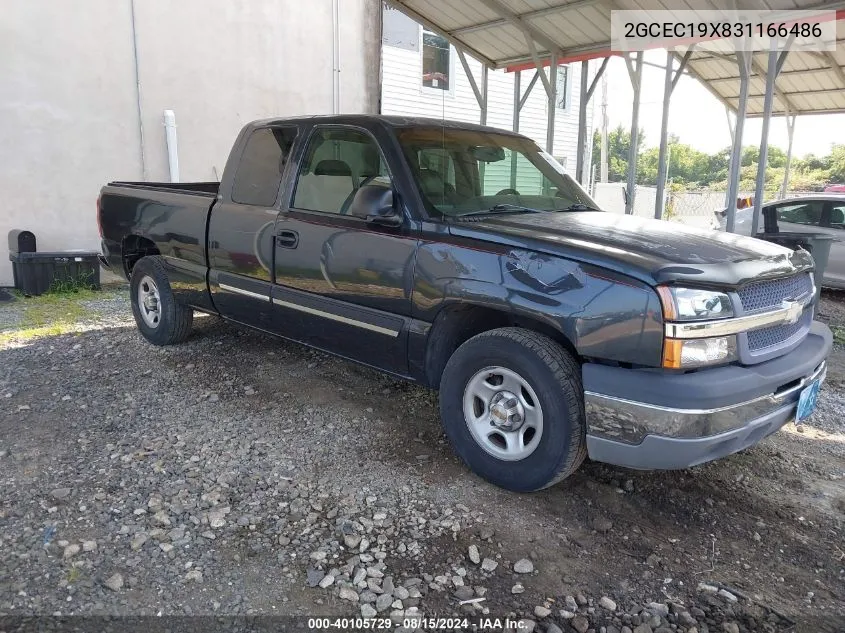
{"x": 521, "y": 34}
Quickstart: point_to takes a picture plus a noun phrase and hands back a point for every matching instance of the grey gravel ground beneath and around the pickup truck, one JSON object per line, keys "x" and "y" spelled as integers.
{"x": 237, "y": 474}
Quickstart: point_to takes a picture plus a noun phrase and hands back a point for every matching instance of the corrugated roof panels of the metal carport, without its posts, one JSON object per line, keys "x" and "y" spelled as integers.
{"x": 502, "y": 33}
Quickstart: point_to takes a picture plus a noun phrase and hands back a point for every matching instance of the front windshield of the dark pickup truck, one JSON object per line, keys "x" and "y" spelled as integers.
{"x": 468, "y": 172}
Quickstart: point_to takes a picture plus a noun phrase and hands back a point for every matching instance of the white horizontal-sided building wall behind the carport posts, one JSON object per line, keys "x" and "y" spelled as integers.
{"x": 403, "y": 93}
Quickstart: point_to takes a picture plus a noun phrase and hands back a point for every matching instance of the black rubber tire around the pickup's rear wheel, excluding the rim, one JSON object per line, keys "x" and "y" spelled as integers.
{"x": 174, "y": 320}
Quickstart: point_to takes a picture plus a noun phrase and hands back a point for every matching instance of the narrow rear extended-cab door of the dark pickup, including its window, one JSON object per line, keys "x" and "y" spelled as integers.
{"x": 240, "y": 231}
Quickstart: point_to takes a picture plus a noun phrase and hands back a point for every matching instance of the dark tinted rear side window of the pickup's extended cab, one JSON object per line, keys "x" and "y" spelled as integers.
{"x": 259, "y": 173}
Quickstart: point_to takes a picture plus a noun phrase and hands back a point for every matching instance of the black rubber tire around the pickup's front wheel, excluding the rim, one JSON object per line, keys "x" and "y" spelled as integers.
{"x": 555, "y": 377}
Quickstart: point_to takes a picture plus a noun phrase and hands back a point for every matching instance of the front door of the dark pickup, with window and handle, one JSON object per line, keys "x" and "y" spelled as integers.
{"x": 343, "y": 283}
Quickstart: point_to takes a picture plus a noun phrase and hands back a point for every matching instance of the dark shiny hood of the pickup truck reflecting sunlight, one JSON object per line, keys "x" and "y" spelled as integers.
{"x": 654, "y": 251}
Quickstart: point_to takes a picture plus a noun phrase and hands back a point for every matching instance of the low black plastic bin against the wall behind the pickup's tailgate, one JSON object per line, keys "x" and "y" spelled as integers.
{"x": 36, "y": 273}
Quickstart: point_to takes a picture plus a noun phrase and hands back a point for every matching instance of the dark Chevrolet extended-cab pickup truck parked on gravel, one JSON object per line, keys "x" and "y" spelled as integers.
{"x": 465, "y": 258}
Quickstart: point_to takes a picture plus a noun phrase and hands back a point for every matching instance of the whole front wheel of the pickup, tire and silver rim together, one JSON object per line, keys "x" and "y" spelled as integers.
{"x": 512, "y": 405}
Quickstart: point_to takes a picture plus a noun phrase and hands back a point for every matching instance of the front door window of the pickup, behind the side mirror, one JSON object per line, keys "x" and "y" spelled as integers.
{"x": 336, "y": 163}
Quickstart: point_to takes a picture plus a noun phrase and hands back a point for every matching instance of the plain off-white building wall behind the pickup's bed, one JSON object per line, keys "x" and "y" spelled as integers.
{"x": 68, "y": 97}
